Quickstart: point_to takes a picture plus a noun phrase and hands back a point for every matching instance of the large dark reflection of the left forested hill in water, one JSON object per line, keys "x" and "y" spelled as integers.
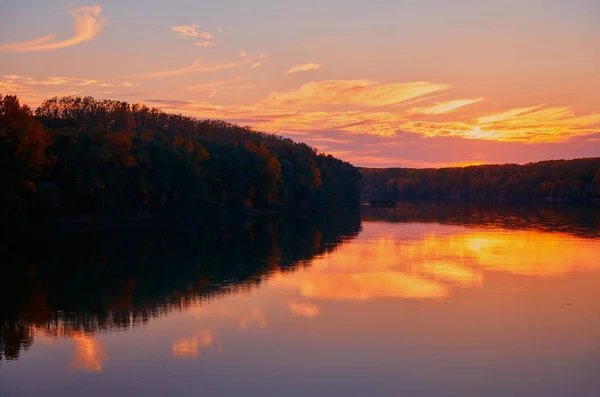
{"x": 80, "y": 284}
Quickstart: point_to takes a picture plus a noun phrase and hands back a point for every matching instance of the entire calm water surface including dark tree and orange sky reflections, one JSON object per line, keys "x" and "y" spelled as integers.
{"x": 412, "y": 301}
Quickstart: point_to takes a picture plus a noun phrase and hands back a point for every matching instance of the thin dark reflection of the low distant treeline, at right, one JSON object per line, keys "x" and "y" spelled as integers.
{"x": 576, "y": 220}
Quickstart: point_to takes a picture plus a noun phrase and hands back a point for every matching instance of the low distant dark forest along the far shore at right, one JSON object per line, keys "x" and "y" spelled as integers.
{"x": 560, "y": 181}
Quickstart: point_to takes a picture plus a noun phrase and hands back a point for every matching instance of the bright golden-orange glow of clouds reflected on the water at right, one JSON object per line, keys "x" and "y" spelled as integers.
{"x": 405, "y": 263}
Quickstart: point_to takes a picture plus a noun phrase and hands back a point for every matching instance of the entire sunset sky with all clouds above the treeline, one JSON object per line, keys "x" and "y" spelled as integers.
{"x": 406, "y": 83}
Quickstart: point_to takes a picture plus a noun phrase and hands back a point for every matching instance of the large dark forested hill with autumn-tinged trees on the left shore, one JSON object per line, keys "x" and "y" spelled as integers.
{"x": 77, "y": 157}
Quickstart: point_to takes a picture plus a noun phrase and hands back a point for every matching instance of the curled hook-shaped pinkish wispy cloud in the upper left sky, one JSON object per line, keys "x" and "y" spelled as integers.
{"x": 88, "y": 25}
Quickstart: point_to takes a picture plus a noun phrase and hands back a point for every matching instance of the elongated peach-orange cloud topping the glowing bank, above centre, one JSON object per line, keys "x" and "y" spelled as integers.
{"x": 353, "y": 92}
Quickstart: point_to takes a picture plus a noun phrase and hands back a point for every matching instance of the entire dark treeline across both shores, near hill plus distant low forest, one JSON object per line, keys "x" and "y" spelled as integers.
{"x": 80, "y": 157}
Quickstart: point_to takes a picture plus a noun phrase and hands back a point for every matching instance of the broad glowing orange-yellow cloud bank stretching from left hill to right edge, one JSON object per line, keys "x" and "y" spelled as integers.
{"x": 323, "y": 108}
